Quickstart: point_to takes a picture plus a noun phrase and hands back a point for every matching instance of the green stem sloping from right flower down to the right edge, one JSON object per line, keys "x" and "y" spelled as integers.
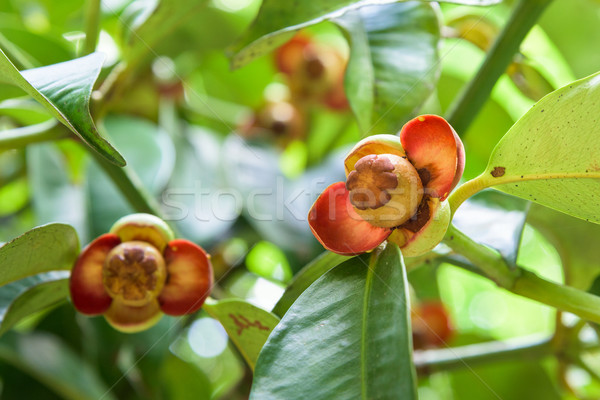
{"x": 523, "y": 282}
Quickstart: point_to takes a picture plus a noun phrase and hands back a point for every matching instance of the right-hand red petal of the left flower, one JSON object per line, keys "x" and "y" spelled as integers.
{"x": 189, "y": 278}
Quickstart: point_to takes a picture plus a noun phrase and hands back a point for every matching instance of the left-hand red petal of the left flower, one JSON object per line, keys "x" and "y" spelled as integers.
{"x": 87, "y": 290}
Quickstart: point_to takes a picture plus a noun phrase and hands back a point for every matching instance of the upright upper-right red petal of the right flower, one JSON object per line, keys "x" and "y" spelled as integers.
{"x": 432, "y": 144}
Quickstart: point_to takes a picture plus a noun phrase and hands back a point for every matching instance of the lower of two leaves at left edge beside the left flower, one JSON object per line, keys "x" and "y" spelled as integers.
{"x": 25, "y": 297}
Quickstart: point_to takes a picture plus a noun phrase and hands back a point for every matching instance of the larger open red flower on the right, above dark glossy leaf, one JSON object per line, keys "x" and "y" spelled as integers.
{"x": 395, "y": 189}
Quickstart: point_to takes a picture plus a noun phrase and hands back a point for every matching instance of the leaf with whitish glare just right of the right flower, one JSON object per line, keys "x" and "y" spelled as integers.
{"x": 494, "y": 219}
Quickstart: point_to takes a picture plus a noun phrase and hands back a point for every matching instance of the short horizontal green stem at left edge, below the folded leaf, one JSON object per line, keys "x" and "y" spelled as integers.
{"x": 42, "y": 132}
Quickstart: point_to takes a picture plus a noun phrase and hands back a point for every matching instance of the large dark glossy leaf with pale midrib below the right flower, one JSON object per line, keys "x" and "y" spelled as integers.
{"x": 347, "y": 337}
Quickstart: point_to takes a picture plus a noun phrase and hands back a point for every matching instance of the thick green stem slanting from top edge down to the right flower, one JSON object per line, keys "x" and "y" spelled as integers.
{"x": 524, "y": 16}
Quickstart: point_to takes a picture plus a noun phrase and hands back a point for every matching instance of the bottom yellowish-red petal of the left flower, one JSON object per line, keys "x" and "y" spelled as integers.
{"x": 132, "y": 319}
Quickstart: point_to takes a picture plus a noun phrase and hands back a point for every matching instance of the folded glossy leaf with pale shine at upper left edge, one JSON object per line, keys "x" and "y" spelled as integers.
{"x": 65, "y": 90}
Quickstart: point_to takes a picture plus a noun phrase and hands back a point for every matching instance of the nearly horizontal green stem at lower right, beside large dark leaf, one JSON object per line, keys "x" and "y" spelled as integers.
{"x": 453, "y": 358}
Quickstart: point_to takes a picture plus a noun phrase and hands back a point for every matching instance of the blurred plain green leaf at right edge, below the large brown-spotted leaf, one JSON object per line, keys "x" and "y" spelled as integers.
{"x": 576, "y": 243}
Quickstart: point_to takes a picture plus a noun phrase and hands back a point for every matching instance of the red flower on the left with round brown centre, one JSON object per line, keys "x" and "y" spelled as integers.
{"x": 137, "y": 272}
